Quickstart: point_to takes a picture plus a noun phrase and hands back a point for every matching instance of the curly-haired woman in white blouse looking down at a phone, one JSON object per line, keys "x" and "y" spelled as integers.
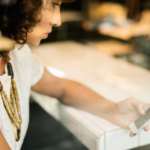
{"x": 28, "y": 22}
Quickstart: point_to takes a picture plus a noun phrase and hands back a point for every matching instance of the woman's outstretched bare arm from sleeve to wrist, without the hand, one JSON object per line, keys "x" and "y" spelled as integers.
{"x": 74, "y": 94}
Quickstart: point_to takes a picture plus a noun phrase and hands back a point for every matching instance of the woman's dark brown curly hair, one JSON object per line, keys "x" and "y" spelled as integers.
{"x": 17, "y": 19}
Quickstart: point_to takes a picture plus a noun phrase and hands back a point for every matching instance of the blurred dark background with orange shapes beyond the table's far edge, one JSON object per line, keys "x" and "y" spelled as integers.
{"x": 120, "y": 28}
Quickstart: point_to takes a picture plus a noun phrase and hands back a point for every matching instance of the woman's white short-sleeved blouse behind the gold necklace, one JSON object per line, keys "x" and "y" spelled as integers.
{"x": 28, "y": 70}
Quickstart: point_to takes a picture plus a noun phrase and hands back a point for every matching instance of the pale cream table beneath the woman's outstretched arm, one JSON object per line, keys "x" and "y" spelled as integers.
{"x": 114, "y": 79}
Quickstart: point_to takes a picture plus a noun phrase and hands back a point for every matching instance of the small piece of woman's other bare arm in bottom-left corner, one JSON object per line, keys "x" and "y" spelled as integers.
{"x": 3, "y": 144}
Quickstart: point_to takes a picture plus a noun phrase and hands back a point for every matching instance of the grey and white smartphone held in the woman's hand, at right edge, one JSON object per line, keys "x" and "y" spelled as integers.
{"x": 140, "y": 122}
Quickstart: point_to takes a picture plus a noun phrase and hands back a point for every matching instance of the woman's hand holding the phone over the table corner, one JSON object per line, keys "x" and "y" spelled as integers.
{"x": 127, "y": 111}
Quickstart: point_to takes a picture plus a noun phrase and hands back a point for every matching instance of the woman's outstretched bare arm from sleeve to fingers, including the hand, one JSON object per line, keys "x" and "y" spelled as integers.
{"x": 77, "y": 95}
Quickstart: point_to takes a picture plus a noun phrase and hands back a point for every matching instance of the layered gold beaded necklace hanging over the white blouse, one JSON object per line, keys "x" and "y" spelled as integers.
{"x": 12, "y": 106}
